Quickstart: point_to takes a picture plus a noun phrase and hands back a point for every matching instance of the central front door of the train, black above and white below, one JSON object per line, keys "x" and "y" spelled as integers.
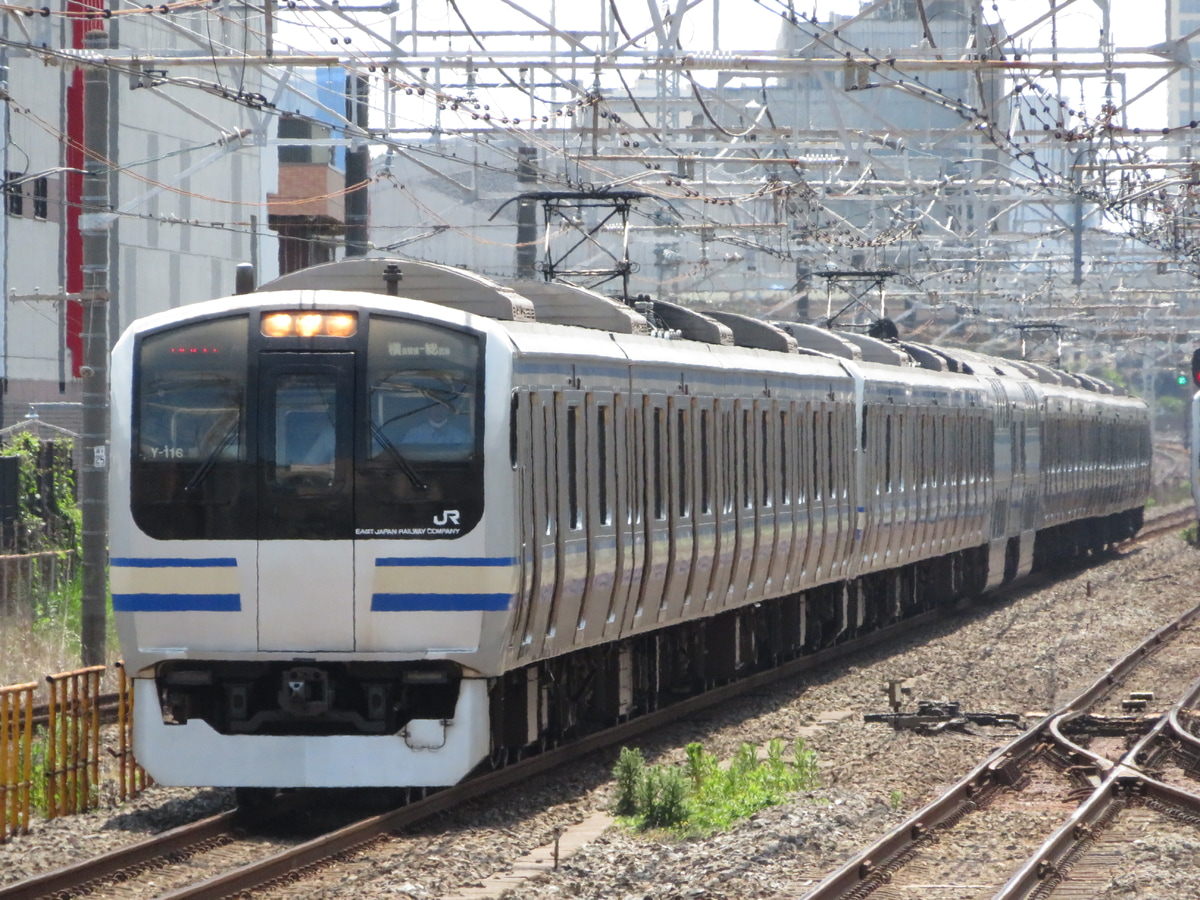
{"x": 305, "y": 495}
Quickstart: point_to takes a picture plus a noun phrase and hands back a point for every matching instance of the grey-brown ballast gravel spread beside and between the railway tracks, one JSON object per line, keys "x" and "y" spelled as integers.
{"x": 1027, "y": 652}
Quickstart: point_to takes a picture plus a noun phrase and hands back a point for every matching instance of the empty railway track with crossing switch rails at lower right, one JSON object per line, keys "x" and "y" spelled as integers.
{"x": 1072, "y": 793}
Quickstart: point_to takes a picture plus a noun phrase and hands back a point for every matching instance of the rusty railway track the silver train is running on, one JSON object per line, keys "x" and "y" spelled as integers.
{"x": 223, "y": 843}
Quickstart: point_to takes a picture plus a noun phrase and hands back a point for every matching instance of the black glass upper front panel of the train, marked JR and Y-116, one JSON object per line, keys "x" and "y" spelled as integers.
{"x": 244, "y": 436}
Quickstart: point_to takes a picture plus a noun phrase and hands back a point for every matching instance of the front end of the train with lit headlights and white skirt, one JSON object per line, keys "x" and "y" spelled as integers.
{"x": 308, "y": 587}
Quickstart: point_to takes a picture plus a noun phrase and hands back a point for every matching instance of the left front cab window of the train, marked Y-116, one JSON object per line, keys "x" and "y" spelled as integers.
{"x": 190, "y": 470}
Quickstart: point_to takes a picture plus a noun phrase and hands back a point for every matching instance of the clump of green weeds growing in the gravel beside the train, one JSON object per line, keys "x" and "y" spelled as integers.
{"x": 704, "y": 797}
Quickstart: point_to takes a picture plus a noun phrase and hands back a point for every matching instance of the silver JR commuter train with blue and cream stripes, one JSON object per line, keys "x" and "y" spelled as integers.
{"x": 383, "y": 523}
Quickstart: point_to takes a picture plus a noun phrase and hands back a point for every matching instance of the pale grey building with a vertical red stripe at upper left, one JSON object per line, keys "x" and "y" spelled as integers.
{"x": 189, "y": 185}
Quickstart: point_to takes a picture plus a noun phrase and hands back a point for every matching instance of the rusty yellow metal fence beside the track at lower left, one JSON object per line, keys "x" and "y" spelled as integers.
{"x": 57, "y": 760}
